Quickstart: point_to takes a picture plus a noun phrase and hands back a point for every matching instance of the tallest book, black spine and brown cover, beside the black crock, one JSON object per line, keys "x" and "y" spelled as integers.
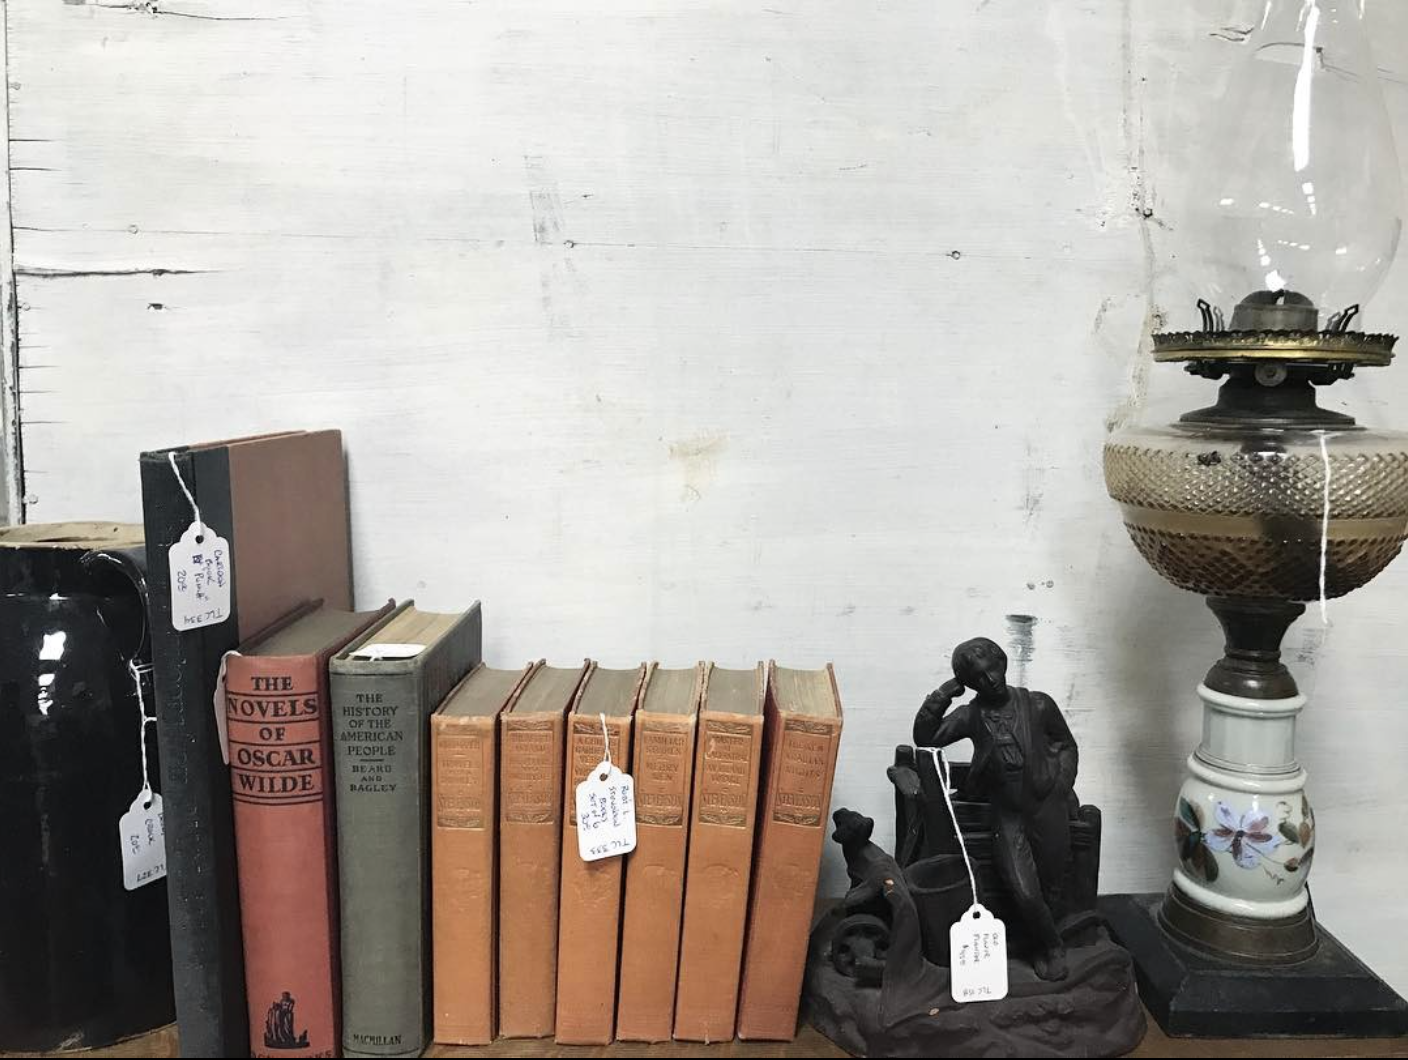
{"x": 279, "y": 502}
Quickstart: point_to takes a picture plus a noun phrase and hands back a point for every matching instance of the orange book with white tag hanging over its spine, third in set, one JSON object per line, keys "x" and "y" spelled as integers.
{"x": 589, "y": 916}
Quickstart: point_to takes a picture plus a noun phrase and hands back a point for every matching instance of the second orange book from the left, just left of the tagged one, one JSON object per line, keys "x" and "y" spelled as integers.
{"x": 532, "y": 738}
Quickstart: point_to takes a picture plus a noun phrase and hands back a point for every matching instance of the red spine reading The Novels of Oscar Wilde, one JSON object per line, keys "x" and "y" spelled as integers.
{"x": 281, "y": 779}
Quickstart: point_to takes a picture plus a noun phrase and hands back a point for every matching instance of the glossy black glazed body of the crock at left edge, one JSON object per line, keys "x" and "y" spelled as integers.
{"x": 84, "y": 962}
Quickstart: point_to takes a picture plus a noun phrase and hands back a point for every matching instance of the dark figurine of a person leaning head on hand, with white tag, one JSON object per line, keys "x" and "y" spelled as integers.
{"x": 878, "y": 972}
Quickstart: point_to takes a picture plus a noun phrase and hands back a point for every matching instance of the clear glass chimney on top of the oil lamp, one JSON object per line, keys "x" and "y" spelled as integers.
{"x": 1296, "y": 206}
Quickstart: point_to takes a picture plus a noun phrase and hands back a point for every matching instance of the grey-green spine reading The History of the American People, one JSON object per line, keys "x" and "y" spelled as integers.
{"x": 379, "y": 728}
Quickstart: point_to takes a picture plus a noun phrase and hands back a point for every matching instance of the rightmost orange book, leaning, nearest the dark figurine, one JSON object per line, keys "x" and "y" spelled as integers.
{"x": 802, "y": 737}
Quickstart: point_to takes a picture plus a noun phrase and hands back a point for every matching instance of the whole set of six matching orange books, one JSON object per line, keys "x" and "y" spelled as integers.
{"x": 700, "y": 934}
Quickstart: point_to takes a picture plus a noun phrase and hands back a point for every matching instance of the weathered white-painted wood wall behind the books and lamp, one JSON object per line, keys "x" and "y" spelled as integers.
{"x": 693, "y": 330}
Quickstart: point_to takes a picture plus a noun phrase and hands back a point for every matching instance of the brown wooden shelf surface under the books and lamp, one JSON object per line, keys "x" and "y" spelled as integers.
{"x": 810, "y": 1044}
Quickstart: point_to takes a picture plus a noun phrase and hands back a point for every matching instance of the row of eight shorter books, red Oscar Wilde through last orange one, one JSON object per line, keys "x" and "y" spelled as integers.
{"x": 408, "y": 852}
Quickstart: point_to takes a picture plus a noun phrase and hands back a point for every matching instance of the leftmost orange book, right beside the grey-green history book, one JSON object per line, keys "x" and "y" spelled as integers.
{"x": 464, "y": 868}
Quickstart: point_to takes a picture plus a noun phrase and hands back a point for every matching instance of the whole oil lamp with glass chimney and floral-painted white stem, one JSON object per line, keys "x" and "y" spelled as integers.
{"x": 1261, "y": 503}
